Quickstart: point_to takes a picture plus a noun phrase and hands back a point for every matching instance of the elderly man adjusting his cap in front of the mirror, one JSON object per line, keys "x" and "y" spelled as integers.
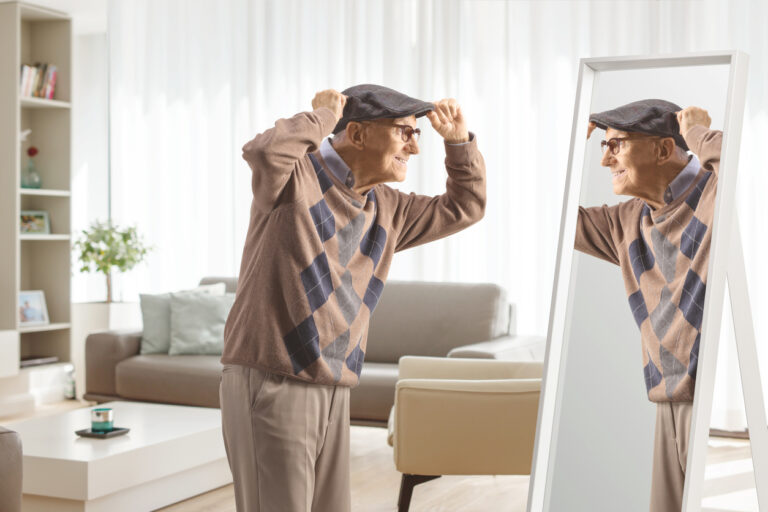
{"x": 322, "y": 234}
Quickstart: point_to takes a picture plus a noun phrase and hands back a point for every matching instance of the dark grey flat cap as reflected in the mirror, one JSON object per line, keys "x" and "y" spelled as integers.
{"x": 654, "y": 117}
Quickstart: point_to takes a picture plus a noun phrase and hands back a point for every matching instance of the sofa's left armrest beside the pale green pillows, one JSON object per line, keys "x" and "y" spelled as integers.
{"x": 103, "y": 352}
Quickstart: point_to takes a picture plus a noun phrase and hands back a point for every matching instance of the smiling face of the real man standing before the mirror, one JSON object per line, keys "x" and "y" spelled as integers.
{"x": 386, "y": 154}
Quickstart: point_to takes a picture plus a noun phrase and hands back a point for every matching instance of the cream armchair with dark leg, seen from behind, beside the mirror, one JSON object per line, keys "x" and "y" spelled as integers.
{"x": 463, "y": 417}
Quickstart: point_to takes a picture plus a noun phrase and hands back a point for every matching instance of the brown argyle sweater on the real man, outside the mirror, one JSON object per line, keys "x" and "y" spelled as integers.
{"x": 317, "y": 254}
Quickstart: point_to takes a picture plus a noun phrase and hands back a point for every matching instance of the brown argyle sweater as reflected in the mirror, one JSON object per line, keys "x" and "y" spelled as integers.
{"x": 663, "y": 255}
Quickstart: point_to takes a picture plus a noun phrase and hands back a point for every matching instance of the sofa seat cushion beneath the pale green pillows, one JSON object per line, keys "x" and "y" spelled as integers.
{"x": 183, "y": 380}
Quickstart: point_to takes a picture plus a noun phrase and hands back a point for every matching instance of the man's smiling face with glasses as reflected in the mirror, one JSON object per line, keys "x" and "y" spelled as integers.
{"x": 634, "y": 168}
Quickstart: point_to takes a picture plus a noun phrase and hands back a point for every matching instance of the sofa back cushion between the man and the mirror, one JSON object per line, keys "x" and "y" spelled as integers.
{"x": 429, "y": 319}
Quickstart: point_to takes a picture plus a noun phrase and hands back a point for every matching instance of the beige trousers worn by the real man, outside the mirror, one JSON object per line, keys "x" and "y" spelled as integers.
{"x": 287, "y": 442}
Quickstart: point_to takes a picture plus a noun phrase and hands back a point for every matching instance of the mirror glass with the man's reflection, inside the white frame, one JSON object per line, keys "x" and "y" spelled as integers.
{"x": 637, "y": 289}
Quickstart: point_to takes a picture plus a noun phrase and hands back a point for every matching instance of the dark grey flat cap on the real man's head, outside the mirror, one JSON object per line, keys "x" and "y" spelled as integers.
{"x": 369, "y": 101}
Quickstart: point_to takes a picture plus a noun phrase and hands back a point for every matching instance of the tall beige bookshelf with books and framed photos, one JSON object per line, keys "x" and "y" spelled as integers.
{"x": 31, "y": 34}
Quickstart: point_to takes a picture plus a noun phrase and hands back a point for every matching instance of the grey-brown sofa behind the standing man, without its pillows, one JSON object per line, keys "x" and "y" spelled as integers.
{"x": 412, "y": 318}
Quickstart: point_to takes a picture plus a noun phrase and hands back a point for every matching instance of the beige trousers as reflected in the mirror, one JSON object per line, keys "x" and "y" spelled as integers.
{"x": 670, "y": 453}
